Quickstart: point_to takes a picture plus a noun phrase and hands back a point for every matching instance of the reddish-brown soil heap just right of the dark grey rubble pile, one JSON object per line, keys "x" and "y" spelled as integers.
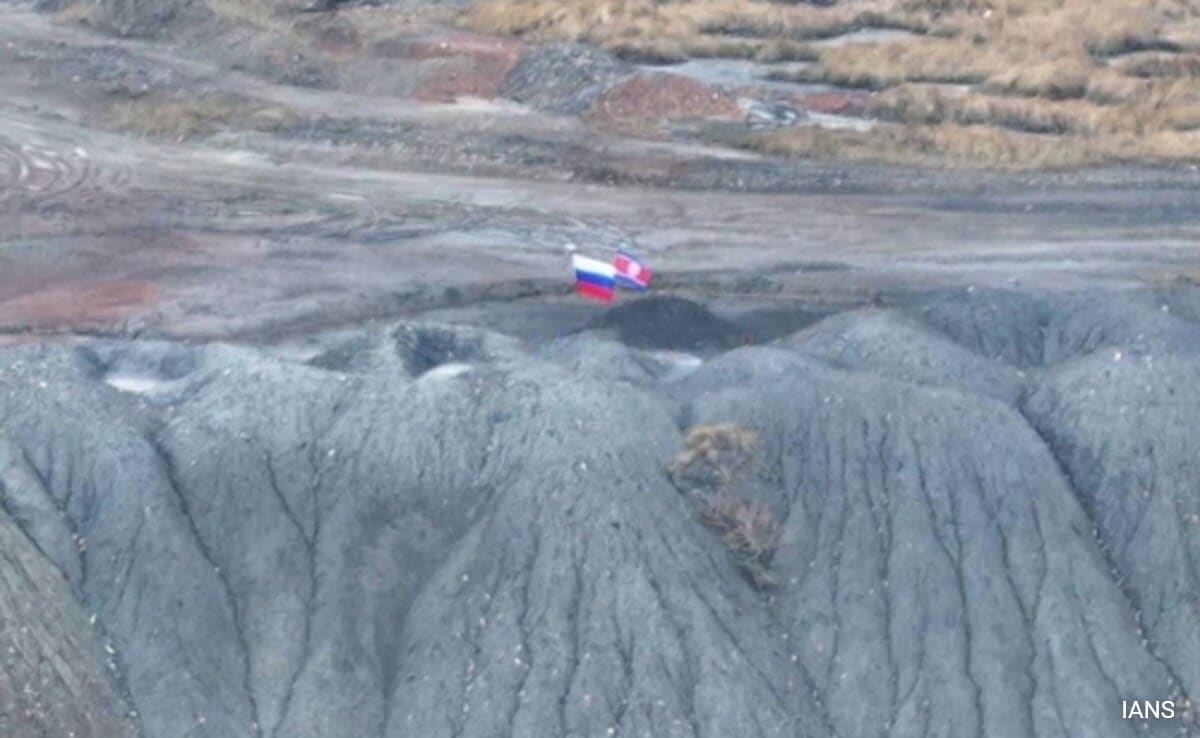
{"x": 650, "y": 99}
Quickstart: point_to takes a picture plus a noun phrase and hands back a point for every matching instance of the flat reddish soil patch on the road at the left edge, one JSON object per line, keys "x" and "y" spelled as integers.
{"x": 76, "y": 305}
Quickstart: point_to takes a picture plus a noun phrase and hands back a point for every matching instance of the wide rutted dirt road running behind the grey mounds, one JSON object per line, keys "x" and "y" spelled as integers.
{"x": 251, "y": 232}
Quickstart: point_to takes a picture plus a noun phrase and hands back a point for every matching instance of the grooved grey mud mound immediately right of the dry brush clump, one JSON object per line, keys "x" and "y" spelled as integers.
{"x": 944, "y": 580}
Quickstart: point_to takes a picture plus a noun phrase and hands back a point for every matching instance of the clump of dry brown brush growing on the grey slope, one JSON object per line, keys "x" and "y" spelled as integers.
{"x": 713, "y": 459}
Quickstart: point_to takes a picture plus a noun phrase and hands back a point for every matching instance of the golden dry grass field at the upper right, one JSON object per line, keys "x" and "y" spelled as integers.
{"x": 1004, "y": 83}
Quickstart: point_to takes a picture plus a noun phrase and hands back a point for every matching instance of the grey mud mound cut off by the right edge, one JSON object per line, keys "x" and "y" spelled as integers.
{"x": 1124, "y": 425}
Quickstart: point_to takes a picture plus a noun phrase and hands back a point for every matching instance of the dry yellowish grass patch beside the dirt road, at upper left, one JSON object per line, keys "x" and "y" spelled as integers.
{"x": 185, "y": 118}
